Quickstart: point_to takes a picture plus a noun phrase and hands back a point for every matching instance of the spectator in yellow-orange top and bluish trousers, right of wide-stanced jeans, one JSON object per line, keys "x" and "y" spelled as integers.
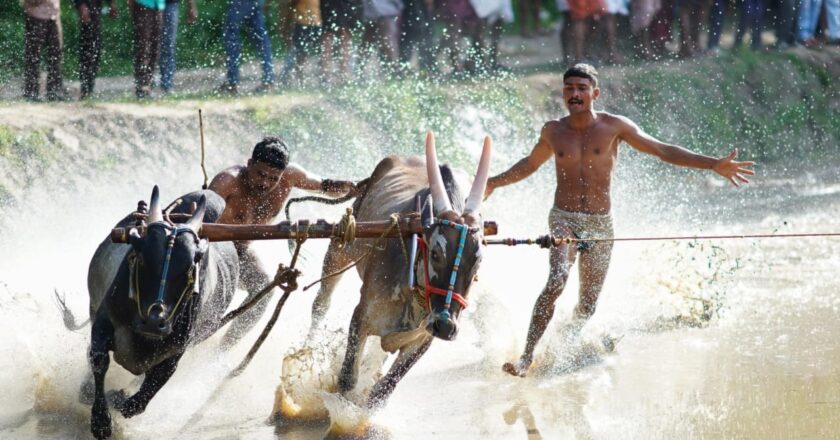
{"x": 306, "y": 38}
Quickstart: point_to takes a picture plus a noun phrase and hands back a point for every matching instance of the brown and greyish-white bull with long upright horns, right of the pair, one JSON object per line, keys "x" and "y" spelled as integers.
{"x": 407, "y": 318}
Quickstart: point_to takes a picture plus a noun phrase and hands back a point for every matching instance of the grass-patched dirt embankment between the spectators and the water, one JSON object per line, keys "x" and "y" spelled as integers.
{"x": 754, "y": 100}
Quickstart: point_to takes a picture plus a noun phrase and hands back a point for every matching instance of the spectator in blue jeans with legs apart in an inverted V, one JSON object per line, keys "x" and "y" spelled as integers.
{"x": 239, "y": 11}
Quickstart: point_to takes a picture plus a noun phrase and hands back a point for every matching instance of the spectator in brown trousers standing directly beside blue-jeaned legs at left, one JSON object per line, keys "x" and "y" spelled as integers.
{"x": 147, "y": 16}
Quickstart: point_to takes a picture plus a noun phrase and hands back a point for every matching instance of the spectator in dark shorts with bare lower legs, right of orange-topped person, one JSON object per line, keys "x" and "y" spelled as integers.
{"x": 339, "y": 19}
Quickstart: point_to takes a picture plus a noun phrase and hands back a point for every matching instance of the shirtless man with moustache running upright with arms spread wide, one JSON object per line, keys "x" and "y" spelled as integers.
{"x": 584, "y": 146}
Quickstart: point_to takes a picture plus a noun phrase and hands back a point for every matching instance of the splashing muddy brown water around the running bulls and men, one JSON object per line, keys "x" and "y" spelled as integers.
{"x": 724, "y": 339}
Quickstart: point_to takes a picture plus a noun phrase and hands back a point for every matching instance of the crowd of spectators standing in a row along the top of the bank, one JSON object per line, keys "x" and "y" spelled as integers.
{"x": 436, "y": 37}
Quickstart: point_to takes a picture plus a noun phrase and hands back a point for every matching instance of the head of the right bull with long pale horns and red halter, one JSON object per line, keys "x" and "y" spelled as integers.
{"x": 453, "y": 245}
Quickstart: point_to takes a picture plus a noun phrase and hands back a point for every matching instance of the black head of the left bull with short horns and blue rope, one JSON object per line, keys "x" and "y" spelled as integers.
{"x": 163, "y": 269}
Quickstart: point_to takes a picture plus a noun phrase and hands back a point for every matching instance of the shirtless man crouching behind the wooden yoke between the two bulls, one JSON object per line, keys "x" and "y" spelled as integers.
{"x": 255, "y": 194}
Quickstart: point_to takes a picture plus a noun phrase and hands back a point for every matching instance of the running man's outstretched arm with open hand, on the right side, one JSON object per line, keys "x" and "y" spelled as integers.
{"x": 727, "y": 166}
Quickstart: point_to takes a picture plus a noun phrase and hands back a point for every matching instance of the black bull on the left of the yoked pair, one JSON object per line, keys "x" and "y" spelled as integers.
{"x": 146, "y": 323}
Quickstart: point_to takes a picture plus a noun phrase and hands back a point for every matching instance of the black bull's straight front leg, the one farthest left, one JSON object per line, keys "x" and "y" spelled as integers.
{"x": 102, "y": 333}
